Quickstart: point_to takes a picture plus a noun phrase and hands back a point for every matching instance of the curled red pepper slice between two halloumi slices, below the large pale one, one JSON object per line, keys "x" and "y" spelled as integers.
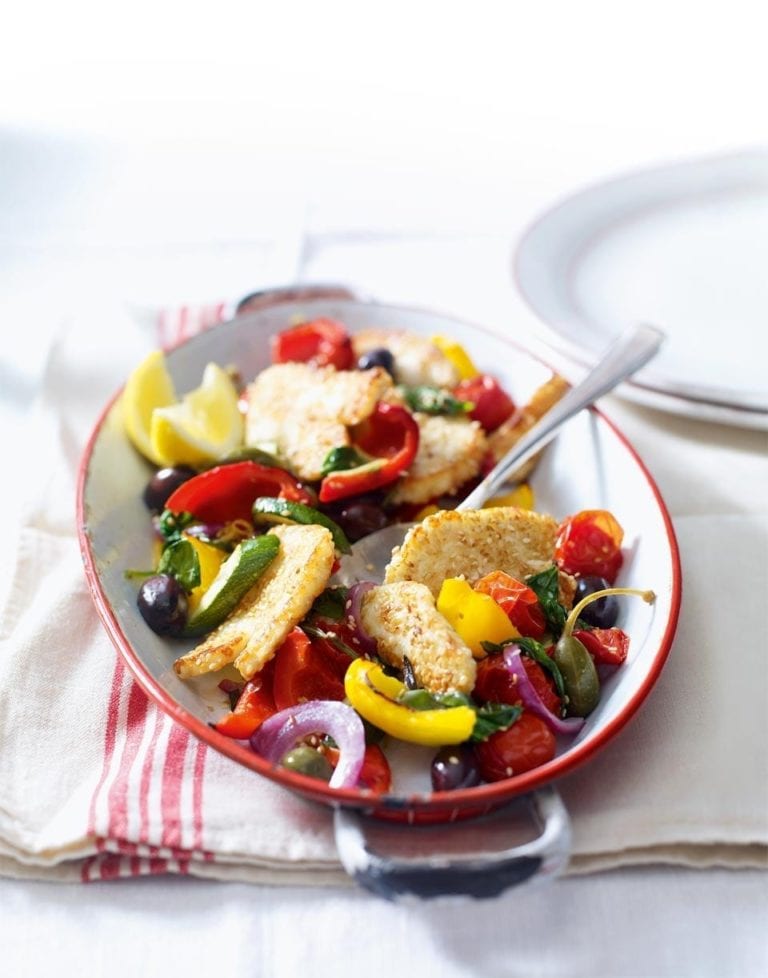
{"x": 391, "y": 436}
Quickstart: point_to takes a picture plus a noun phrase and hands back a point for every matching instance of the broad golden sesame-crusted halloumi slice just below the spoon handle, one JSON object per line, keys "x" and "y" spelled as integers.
{"x": 474, "y": 543}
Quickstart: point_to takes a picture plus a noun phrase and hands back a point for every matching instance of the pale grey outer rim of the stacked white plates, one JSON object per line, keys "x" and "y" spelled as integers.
{"x": 649, "y": 387}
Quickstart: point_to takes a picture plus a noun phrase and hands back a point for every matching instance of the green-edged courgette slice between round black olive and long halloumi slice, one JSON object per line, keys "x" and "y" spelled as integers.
{"x": 236, "y": 576}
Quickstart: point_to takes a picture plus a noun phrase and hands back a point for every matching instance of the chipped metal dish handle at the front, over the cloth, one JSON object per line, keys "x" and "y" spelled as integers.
{"x": 478, "y": 875}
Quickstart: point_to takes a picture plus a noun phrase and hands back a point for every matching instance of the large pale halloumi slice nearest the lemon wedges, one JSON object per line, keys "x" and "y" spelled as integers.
{"x": 303, "y": 412}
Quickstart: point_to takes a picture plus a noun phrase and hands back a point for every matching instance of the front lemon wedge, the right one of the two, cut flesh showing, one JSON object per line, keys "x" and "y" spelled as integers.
{"x": 203, "y": 426}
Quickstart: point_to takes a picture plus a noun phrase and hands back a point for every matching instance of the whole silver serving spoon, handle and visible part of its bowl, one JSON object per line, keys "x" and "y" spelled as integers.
{"x": 632, "y": 350}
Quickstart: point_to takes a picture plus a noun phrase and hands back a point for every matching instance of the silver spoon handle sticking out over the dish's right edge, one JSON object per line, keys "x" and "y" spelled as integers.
{"x": 632, "y": 350}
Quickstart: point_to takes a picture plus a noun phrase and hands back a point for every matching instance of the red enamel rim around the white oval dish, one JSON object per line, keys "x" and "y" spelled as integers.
{"x": 477, "y": 799}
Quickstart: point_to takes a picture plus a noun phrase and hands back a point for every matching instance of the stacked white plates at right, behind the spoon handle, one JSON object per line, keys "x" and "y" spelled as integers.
{"x": 684, "y": 247}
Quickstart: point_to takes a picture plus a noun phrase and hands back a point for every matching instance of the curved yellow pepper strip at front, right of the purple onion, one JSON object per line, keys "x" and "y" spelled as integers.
{"x": 374, "y": 695}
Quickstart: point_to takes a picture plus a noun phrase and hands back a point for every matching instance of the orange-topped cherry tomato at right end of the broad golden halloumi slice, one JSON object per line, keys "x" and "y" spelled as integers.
{"x": 589, "y": 543}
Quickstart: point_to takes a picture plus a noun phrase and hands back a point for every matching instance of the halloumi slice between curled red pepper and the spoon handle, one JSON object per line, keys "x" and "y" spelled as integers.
{"x": 450, "y": 452}
